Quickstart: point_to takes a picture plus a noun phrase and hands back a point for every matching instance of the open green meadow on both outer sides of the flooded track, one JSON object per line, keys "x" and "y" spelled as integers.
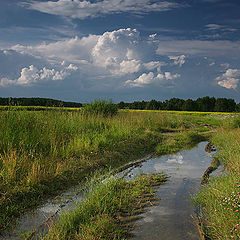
{"x": 45, "y": 152}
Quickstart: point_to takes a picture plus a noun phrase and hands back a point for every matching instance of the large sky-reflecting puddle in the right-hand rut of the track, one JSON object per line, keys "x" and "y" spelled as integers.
{"x": 172, "y": 219}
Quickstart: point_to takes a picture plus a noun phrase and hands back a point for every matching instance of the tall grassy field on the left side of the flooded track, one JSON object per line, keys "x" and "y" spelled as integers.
{"x": 42, "y": 153}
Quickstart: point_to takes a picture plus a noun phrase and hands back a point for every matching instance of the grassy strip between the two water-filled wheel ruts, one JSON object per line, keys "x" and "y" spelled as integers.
{"x": 108, "y": 210}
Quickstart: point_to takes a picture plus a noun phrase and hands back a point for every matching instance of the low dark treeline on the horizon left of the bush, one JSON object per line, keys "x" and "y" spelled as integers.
{"x": 45, "y": 102}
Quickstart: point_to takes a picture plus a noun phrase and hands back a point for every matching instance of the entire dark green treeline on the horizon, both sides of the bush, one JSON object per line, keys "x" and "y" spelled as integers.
{"x": 204, "y": 104}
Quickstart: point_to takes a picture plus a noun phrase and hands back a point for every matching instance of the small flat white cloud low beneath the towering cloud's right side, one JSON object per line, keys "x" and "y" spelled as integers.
{"x": 162, "y": 79}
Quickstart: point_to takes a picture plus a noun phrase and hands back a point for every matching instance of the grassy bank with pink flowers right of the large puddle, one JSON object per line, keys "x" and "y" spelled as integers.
{"x": 220, "y": 199}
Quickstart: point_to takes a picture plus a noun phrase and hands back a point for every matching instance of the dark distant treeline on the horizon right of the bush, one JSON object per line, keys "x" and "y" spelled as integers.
{"x": 204, "y": 104}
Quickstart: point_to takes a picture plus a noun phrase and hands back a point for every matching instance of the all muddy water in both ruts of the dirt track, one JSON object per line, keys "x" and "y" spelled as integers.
{"x": 171, "y": 219}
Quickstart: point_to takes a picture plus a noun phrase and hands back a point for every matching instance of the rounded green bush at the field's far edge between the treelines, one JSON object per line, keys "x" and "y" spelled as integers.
{"x": 101, "y": 107}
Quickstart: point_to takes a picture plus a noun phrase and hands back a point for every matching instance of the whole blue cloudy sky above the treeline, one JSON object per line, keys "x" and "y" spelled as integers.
{"x": 124, "y": 50}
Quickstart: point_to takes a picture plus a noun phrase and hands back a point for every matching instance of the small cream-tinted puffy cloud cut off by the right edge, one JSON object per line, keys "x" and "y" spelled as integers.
{"x": 229, "y": 79}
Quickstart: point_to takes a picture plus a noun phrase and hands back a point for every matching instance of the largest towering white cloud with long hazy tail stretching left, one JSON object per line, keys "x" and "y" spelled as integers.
{"x": 116, "y": 51}
